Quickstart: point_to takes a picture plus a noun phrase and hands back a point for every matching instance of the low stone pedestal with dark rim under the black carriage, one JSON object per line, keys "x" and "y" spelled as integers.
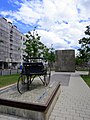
{"x": 36, "y": 104}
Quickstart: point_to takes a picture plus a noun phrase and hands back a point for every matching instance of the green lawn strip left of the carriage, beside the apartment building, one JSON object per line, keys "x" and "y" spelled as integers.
{"x": 8, "y": 79}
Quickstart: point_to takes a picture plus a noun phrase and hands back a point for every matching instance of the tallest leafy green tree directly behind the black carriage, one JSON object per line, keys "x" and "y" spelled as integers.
{"x": 33, "y": 46}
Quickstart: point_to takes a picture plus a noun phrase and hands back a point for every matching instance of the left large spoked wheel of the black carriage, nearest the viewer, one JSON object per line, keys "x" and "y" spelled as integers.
{"x": 22, "y": 84}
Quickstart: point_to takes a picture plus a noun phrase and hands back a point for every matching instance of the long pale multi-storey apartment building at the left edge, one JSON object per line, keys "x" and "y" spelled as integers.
{"x": 11, "y": 44}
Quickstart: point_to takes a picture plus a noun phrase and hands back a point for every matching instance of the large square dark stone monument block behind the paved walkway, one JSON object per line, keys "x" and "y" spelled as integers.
{"x": 65, "y": 61}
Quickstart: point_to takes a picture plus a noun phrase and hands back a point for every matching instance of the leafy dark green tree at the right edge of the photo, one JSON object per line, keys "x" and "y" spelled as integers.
{"x": 84, "y": 51}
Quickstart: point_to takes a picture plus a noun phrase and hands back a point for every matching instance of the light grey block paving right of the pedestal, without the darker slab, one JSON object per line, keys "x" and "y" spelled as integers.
{"x": 74, "y": 99}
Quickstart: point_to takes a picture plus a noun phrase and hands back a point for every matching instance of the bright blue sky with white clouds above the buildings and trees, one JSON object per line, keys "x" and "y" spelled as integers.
{"x": 60, "y": 23}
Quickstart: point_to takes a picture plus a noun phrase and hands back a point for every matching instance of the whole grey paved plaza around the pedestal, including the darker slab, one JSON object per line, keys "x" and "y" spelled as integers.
{"x": 73, "y": 102}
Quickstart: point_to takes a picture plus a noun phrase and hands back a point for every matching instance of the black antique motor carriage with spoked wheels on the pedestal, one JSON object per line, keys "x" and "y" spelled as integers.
{"x": 36, "y": 67}
